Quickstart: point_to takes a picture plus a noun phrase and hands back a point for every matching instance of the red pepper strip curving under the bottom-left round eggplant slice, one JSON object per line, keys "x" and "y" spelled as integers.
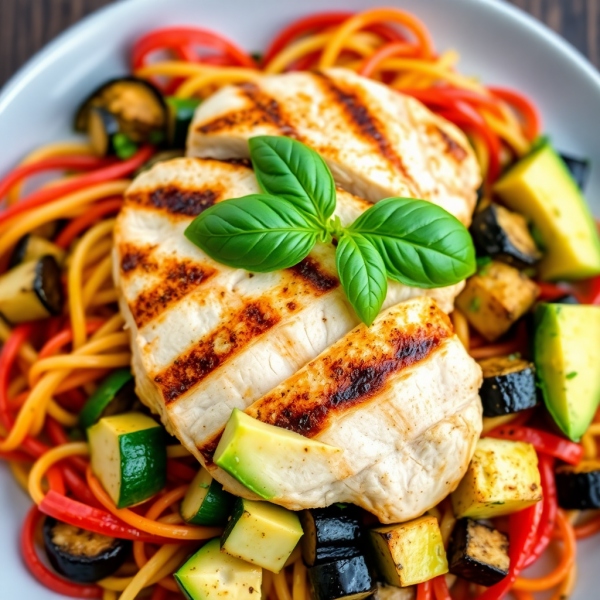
{"x": 46, "y": 577}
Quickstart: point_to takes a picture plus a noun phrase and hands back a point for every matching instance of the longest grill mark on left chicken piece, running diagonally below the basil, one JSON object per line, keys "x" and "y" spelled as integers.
{"x": 189, "y": 369}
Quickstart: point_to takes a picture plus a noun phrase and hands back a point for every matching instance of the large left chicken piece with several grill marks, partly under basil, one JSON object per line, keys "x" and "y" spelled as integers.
{"x": 207, "y": 338}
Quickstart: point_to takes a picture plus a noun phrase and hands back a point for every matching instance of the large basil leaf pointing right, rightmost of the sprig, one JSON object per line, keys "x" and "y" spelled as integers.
{"x": 420, "y": 243}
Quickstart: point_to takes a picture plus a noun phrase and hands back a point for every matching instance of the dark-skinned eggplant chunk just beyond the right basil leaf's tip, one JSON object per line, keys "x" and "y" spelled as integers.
{"x": 504, "y": 235}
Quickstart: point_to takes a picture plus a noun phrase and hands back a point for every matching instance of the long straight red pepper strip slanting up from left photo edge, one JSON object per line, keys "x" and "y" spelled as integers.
{"x": 114, "y": 171}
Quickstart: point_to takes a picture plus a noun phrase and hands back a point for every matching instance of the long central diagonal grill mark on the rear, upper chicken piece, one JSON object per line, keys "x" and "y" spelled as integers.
{"x": 365, "y": 123}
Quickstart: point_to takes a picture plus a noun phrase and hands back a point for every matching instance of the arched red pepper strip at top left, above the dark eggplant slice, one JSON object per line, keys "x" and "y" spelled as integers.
{"x": 178, "y": 37}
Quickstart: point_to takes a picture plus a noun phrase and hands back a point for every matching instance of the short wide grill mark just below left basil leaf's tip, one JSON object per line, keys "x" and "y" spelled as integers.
{"x": 178, "y": 279}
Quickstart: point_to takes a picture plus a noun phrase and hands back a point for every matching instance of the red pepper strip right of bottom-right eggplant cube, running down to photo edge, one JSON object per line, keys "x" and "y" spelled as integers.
{"x": 522, "y": 532}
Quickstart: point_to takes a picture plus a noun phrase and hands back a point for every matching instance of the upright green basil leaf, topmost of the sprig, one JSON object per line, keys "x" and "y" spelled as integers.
{"x": 288, "y": 169}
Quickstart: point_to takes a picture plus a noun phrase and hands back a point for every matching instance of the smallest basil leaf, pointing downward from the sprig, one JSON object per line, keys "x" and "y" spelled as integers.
{"x": 362, "y": 274}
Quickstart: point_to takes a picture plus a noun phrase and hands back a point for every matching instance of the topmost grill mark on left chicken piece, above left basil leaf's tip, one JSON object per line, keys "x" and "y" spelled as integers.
{"x": 177, "y": 201}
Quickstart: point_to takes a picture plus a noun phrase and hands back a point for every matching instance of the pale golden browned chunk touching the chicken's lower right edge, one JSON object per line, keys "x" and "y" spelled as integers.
{"x": 502, "y": 478}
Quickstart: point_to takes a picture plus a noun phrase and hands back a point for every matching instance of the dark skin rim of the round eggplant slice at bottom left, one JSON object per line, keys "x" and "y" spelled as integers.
{"x": 84, "y": 569}
